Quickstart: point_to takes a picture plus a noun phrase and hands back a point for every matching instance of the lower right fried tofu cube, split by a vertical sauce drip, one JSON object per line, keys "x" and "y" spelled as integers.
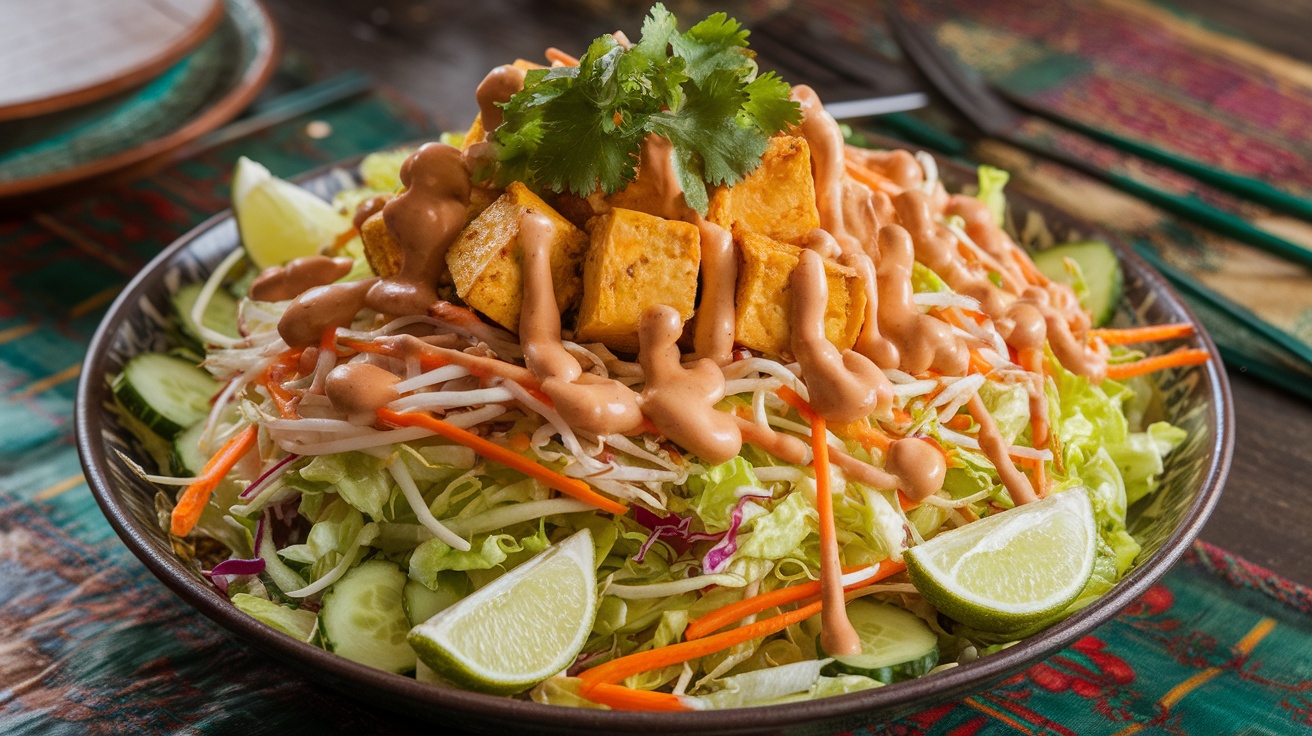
{"x": 764, "y": 297}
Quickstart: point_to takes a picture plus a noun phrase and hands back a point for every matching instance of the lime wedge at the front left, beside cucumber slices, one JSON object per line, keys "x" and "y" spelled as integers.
{"x": 520, "y": 629}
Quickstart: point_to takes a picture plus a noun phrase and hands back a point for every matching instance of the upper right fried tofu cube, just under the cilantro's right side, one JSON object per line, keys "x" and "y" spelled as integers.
{"x": 777, "y": 200}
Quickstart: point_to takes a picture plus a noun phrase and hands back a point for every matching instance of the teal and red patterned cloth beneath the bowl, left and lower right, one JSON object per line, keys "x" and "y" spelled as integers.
{"x": 92, "y": 644}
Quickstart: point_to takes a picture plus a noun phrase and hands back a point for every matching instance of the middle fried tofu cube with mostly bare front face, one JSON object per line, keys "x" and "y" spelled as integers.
{"x": 636, "y": 262}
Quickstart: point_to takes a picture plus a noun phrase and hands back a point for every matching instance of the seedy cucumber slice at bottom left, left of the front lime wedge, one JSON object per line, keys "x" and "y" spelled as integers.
{"x": 363, "y": 617}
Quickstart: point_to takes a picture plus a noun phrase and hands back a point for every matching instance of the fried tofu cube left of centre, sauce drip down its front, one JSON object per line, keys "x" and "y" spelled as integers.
{"x": 486, "y": 260}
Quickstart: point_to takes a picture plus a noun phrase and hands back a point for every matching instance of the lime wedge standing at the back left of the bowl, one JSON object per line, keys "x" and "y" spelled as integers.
{"x": 279, "y": 221}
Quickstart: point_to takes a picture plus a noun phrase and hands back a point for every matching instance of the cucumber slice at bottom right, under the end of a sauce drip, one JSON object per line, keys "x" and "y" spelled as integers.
{"x": 895, "y": 645}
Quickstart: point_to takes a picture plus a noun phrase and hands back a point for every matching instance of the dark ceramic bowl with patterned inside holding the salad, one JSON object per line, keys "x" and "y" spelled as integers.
{"x": 1196, "y": 399}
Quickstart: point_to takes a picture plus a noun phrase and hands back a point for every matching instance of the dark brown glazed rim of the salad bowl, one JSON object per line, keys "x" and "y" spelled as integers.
{"x": 92, "y": 392}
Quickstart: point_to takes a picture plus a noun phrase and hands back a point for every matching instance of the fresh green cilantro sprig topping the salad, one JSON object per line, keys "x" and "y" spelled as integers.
{"x": 578, "y": 129}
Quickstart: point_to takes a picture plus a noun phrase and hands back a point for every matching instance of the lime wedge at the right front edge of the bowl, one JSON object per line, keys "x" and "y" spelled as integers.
{"x": 1010, "y": 571}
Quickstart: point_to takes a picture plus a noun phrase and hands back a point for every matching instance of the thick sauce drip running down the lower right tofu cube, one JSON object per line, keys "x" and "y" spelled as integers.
{"x": 844, "y": 385}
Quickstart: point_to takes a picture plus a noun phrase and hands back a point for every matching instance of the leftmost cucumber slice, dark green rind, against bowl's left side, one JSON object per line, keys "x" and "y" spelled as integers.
{"x": 165, "y": 393}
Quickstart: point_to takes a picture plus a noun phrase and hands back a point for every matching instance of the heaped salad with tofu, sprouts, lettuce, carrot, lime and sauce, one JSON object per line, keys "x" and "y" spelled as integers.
{"x": 651, "y": 393}
